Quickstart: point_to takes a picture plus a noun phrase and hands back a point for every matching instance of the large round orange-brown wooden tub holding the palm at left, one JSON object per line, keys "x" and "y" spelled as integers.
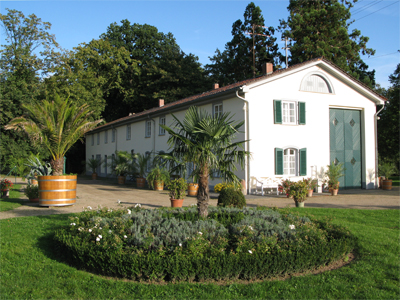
{"x": 57, "y": 190}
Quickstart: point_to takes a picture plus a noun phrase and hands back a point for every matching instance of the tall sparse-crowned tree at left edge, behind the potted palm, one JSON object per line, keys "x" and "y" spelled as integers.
{"x": 28, "y": 55}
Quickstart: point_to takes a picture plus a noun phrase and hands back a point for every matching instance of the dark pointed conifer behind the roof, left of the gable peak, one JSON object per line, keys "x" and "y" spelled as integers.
{"x": 236, "y": 62}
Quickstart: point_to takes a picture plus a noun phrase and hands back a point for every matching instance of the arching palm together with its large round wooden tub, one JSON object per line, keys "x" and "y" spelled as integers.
{"x": 55, "y": 124}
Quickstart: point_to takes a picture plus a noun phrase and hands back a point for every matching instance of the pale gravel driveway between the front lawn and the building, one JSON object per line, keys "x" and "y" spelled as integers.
{"x": 107, "y": 193}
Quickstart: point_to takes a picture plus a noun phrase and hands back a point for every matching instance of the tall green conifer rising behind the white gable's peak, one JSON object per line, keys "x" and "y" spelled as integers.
{"x": 321, "y": 28}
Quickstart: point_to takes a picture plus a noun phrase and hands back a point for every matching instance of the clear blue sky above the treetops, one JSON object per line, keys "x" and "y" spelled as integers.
{"x": 200, "y": 27}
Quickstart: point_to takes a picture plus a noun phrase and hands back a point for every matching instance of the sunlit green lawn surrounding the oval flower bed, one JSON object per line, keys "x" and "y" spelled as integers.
{"x": 30, "y": 269}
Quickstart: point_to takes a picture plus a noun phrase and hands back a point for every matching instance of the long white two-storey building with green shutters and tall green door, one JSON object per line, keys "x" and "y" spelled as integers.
{"x": 297, "y": 121}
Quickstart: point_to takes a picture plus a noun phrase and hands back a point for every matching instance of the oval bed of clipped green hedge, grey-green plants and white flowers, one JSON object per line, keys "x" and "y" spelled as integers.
{"x": 174, "y": 245}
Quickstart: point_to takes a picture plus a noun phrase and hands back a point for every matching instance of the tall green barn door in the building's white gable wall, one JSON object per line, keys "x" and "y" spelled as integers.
{"x": 345, "y": 144}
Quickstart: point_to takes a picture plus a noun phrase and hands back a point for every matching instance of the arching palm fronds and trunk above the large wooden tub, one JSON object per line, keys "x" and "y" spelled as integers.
{"x": 56, "y": 124}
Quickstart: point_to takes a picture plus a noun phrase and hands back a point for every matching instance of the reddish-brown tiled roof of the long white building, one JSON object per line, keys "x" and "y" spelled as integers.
{"x": 234, "y": 86}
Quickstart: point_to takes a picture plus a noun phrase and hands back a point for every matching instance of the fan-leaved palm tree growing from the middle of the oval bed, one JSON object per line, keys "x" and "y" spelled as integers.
{"x": 207, "y": 142}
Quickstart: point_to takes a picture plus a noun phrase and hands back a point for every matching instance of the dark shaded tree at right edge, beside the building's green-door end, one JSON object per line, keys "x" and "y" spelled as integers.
{"x": 389, "y": 123}
